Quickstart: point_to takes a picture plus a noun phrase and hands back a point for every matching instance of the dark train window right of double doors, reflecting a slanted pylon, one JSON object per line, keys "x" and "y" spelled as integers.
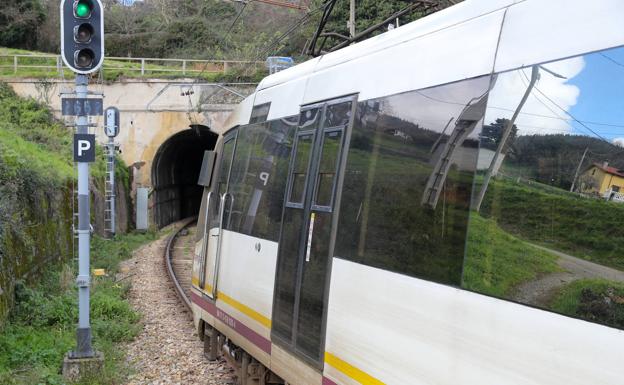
{"x": 408, "y": 178}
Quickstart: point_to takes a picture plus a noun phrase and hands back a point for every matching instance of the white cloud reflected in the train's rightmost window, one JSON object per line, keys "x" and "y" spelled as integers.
{"x": 538, "y": 116}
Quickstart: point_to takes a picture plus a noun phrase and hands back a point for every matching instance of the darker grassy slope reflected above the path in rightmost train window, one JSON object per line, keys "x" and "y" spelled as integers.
{"x": 586, "y": 228}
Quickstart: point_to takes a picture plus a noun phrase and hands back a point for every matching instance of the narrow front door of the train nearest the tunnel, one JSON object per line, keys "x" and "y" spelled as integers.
{"x": 218, "y": 204}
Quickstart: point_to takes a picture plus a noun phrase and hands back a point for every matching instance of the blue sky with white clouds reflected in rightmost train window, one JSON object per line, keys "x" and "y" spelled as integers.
{"x": 593, "y": 92}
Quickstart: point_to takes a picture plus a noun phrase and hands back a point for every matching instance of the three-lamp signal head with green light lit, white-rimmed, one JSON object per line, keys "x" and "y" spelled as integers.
{"x": 82, "y": 35}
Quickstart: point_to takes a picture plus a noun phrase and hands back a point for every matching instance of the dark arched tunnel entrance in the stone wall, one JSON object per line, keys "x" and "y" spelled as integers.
{"x": 175, "y": 172}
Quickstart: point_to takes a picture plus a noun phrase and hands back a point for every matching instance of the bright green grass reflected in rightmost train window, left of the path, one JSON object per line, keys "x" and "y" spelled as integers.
{"x": 496, "y": 262}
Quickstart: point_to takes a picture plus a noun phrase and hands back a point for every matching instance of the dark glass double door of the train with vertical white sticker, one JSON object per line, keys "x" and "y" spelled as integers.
{"x": 309, "y": 226}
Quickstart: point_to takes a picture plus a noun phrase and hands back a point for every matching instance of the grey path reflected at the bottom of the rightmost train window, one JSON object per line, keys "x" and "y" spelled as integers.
{"x": 540, "y": 291}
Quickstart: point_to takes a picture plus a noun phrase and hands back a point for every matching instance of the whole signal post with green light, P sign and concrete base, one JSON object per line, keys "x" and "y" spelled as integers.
{"x": 82, "y": 50}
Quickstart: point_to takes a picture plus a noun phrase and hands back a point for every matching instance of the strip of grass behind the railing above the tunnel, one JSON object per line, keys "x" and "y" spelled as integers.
{"x": 118, "y": 69}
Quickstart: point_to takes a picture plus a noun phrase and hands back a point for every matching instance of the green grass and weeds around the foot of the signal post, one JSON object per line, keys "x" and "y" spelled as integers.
{"x": 41, "y": 329}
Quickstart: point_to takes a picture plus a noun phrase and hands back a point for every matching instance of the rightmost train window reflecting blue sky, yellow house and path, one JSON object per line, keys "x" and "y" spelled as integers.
{"x": 545, "y": 228}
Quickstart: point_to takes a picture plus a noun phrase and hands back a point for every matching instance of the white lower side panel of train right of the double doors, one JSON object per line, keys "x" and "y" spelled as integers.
{"x": 411, "y": 331}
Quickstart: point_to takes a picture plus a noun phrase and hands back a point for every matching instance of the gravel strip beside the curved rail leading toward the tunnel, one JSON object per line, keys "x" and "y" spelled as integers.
{"x": 168, "y": 350}
